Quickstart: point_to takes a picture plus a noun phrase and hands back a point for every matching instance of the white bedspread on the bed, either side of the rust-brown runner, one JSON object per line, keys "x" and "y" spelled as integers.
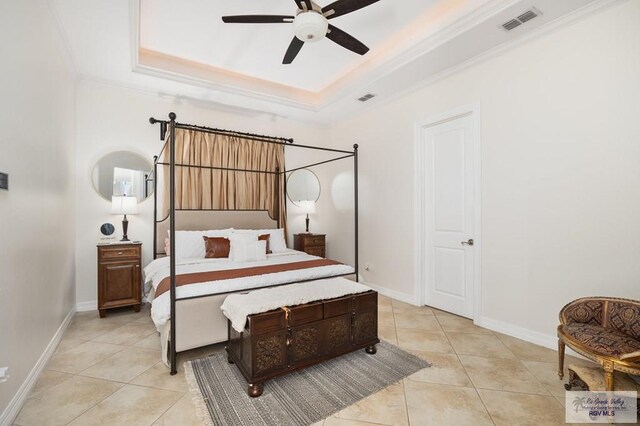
{"x": 158, "y": 270}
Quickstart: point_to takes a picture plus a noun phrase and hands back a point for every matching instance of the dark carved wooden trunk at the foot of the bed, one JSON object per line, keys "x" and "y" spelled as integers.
{"x": 276, "y": 342}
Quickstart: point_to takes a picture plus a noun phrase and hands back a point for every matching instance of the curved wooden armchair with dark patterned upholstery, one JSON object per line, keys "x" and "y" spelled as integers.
{"x": 605, "y": 330}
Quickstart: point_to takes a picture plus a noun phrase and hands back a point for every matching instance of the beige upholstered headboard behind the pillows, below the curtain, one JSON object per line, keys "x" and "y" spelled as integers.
{"x": 203, "y": 220}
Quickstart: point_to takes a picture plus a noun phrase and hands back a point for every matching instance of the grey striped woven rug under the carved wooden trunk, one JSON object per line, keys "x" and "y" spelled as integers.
{"x": 300, "y": 398}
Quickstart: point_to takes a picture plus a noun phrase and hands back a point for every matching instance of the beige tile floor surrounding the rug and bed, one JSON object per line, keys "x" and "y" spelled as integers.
{"x": 107, "y": 371}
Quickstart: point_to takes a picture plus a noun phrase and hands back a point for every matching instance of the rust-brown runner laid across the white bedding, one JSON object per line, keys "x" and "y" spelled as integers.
{"x": 227, "y": 274}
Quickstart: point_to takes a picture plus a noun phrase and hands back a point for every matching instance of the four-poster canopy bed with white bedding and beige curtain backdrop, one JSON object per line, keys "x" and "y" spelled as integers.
{"x": 233, "y": 184}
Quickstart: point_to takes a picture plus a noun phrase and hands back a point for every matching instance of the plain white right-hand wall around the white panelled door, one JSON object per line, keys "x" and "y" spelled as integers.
{"x": 560, "y": 171}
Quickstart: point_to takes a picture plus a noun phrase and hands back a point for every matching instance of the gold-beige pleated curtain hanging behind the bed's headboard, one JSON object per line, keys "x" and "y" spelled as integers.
{"x": 206, "y": 189}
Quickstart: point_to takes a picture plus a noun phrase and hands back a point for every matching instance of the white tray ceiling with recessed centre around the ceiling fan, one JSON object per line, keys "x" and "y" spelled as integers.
{"x": 182, "y": 49}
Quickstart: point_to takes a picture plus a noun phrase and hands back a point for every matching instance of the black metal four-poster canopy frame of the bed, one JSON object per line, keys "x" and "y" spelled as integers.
{"x": 173, "y": 124}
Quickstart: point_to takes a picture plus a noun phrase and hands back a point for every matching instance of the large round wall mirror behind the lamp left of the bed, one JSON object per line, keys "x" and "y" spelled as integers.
{"x": 122, "y": 173}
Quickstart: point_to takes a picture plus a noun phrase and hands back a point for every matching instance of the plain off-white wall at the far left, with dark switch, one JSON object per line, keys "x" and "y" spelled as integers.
{"x": 37, "y": 149}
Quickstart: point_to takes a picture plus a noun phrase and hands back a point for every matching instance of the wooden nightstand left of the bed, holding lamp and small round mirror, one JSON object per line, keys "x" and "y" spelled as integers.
{"x": 119, "y": 276}
